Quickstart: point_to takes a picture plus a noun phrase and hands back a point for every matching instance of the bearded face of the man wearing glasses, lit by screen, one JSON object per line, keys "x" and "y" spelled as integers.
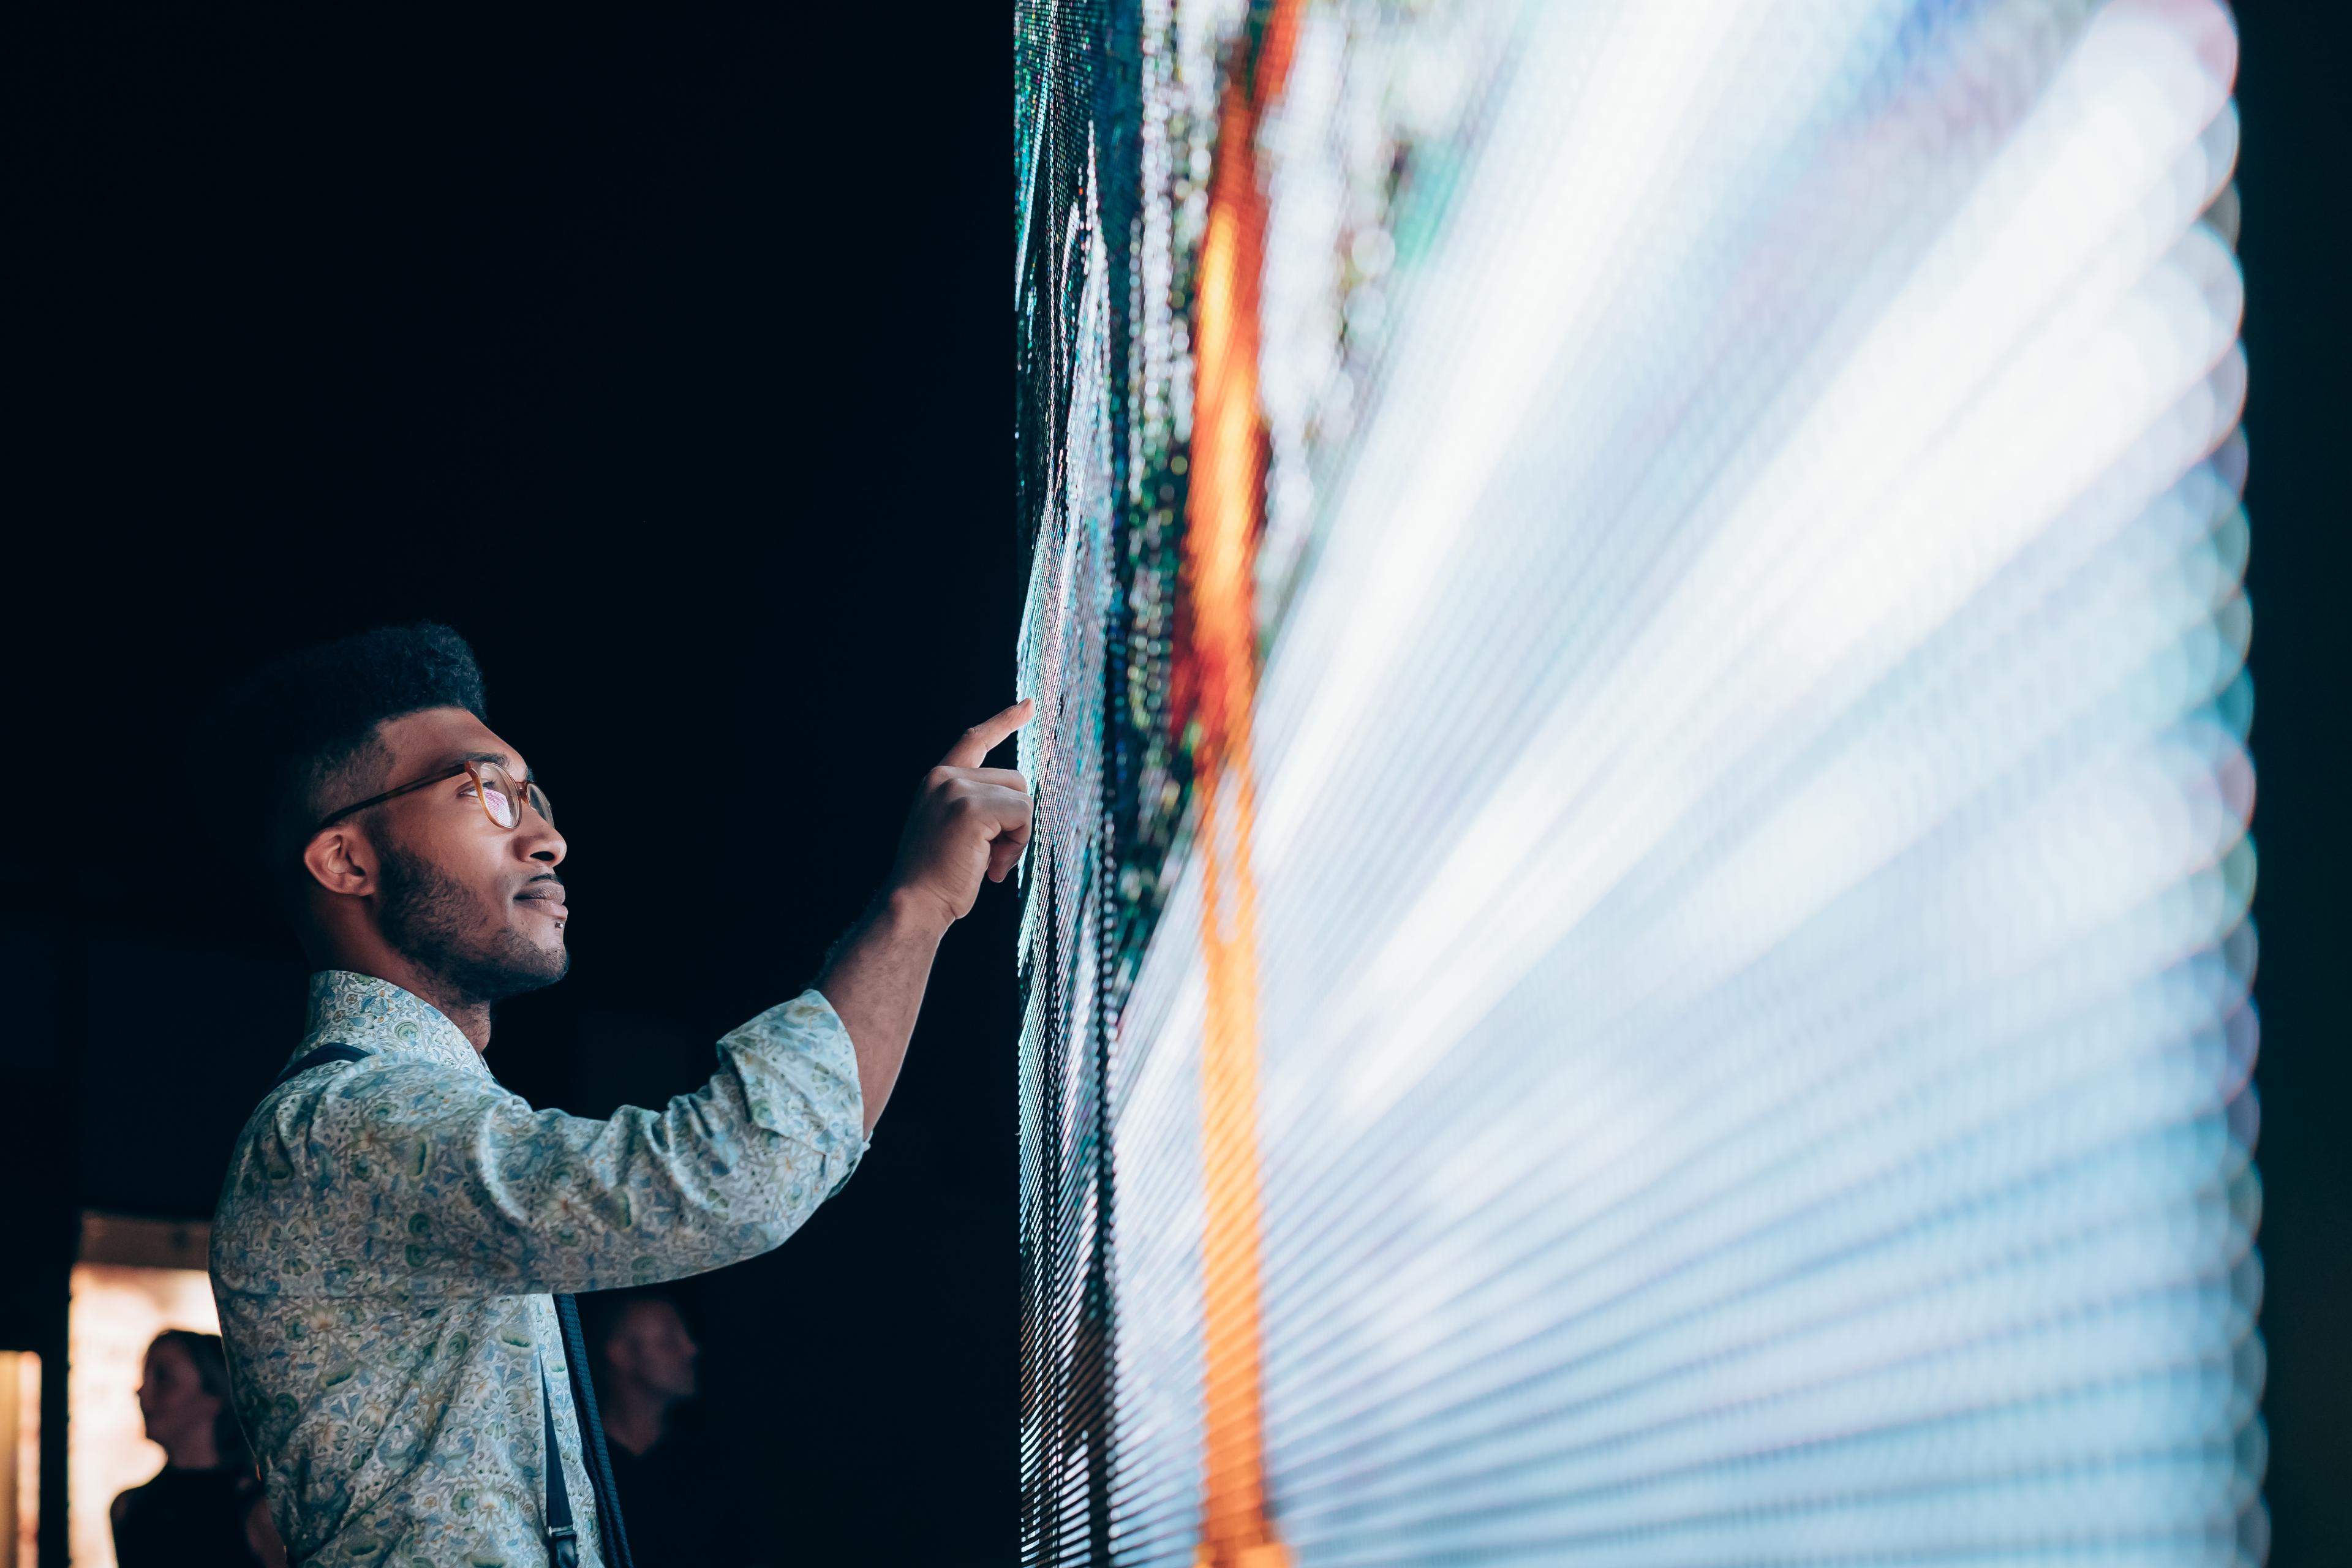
{"x": 465, "y": 899}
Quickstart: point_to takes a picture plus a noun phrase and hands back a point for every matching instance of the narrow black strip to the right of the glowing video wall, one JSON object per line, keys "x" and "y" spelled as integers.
{"x": 2297, "y": 109}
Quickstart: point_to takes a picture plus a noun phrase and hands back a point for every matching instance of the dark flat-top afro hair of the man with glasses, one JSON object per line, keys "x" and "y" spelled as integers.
{"x": 309, "y": 721}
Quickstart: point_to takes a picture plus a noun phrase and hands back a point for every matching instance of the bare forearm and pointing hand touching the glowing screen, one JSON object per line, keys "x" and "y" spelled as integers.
{"x": 970, "y": 822}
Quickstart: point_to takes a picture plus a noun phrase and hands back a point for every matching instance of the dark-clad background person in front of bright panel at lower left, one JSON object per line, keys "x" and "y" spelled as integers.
{"x": 206, "y": 1508}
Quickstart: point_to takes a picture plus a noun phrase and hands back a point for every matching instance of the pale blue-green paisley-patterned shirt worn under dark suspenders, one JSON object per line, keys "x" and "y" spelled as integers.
{"x": 394, "y": 1228}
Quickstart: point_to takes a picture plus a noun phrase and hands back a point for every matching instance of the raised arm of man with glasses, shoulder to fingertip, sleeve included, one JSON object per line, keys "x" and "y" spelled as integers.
{"x": 415, "y": 1172}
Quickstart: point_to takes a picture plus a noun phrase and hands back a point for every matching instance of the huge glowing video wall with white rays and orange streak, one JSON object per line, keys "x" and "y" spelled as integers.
{"x": 1638, "y": 937}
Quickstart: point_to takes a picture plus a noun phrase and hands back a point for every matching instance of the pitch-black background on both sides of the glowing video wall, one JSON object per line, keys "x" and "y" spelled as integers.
{"x": 671, "y": 361}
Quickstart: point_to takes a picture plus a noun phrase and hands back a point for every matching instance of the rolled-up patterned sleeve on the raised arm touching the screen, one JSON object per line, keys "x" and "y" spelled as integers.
{"x": 441, "y": 1181}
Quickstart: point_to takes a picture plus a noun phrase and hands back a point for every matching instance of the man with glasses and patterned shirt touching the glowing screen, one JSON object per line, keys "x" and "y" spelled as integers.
{"x": 399, "y": 1235}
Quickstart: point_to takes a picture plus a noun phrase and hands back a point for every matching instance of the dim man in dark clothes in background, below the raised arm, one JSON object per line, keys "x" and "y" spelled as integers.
{"x": 686, "y": 1499}
